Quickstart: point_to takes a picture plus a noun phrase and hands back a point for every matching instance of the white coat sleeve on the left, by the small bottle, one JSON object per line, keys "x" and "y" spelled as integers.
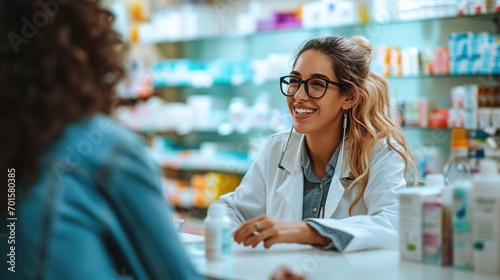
{"x": 249, "y": 198}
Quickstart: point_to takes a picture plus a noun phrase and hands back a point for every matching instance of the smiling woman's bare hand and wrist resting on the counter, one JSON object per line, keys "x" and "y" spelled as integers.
{"x": 271, "y": 231}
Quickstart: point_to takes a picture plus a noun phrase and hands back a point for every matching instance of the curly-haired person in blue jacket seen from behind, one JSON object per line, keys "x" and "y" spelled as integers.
{"x": 88, "y": 201}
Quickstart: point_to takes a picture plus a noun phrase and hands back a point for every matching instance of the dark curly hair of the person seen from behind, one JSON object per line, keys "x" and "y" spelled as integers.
{"x": 59, "y": 62}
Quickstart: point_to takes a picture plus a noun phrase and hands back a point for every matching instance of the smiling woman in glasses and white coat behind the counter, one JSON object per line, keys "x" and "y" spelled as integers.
{"x": 333, "y": 180}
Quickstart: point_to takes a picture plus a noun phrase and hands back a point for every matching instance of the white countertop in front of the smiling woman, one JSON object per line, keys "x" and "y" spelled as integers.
{"x": 260, "y": 263}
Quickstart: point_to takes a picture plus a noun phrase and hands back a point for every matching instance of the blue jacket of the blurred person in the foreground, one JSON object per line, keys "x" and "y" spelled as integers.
{"x": 97, "y": 211}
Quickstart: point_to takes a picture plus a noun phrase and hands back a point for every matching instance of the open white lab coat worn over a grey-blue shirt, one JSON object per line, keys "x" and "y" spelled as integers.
{"x": 267, "y": 190}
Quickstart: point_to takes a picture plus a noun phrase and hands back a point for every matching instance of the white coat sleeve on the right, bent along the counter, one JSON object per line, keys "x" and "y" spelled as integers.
{"x": 379, "y": 227}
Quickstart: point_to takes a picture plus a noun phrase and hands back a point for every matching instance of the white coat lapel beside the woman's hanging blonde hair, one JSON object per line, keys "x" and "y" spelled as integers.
{"x": 336, "y": 190}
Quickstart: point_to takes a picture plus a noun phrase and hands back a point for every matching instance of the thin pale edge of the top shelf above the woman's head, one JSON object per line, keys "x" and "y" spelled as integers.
{"x": 271, "y": 32}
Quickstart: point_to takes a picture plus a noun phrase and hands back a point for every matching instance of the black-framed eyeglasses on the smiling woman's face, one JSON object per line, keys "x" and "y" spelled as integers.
{"x": 315, "y": 87}
